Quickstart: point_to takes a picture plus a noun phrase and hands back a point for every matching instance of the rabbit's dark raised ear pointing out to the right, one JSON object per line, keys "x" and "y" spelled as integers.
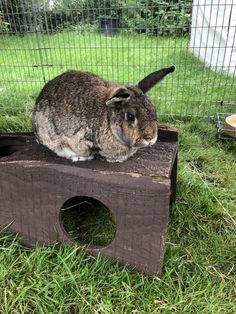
{"x": 152, "y": 79}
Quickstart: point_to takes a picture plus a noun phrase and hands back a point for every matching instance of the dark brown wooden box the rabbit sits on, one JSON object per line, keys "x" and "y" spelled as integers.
{"x": 34, "y": 184}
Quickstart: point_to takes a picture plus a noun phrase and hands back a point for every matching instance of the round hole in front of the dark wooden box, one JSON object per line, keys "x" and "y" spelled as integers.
{"x": 88, "y": 221}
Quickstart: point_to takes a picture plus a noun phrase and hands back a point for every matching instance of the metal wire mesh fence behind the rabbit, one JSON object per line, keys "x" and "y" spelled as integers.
{"x": 122, "y": 41}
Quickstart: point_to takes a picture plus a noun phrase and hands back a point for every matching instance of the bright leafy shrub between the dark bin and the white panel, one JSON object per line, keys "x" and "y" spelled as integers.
{"x": 155, "y": 17}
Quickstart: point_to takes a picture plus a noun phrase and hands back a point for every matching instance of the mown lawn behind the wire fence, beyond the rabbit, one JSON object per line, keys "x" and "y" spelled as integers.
{"x": 193, "y": 90}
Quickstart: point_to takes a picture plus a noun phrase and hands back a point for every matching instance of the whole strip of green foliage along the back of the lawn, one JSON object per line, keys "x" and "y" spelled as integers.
{"x": 154, "y": 17}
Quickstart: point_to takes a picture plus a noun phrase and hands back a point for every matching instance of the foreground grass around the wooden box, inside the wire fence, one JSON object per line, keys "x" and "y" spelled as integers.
{"x": 199, "y": 273}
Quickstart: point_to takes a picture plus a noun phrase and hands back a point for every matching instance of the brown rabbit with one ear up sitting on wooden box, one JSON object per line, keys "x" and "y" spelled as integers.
{"x": 78, "y": 115}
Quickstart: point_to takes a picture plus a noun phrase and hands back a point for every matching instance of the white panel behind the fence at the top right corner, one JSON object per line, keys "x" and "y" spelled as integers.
{"x": 213, "y": 38}
